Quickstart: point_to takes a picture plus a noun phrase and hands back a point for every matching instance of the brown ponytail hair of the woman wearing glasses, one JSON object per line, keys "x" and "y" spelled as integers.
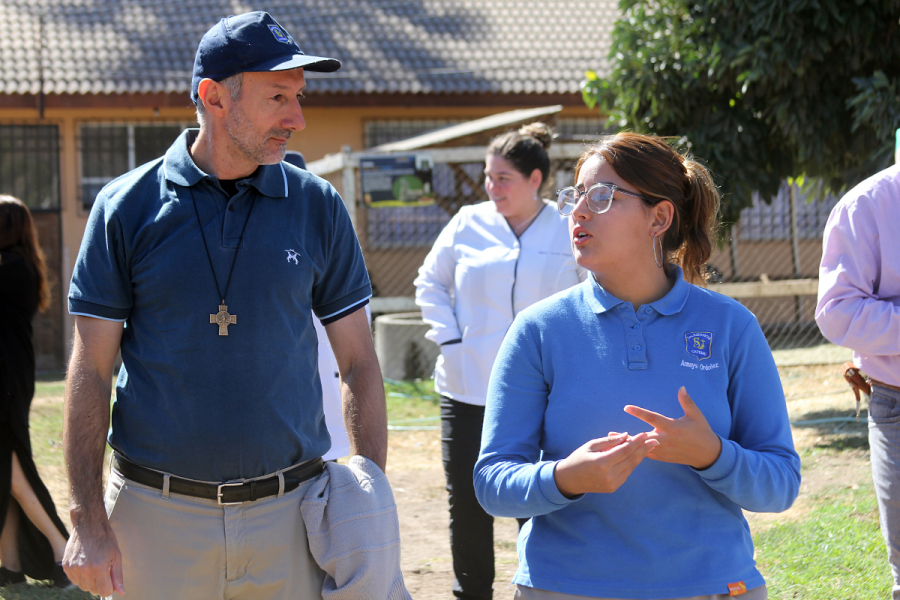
{"x": 656, "y": 170}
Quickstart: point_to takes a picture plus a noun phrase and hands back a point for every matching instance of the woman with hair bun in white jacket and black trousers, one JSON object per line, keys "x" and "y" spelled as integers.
{"x": 491, "y": 261}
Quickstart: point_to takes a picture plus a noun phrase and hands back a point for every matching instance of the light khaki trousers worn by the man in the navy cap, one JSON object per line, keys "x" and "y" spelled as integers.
{"x": 187, "y": 548}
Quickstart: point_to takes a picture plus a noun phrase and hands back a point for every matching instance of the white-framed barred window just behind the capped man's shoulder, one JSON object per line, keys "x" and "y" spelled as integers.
{"x": 109, "y": 150}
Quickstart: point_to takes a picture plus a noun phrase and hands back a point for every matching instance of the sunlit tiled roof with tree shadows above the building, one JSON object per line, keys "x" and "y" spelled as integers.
{"x": 410, "y": 46}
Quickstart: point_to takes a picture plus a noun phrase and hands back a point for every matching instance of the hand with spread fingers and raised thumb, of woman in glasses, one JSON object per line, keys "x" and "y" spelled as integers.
{"x": 686, "y": 441}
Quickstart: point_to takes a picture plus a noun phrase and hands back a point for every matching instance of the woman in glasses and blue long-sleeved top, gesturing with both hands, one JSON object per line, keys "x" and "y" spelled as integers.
{"x": 635, "y": 415}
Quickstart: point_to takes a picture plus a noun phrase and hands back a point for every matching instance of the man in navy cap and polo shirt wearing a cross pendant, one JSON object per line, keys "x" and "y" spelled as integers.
{"x": 205, "y": 268}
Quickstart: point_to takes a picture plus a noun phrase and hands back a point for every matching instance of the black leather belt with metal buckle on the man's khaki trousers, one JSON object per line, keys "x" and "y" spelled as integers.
{"x": 237, "y": 492}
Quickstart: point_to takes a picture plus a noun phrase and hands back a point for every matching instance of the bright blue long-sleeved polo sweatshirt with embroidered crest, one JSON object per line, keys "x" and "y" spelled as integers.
{"x": 565, "y": 371}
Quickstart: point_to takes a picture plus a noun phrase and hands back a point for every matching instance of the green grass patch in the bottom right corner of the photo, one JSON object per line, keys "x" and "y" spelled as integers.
{"x": 836, "y": 552}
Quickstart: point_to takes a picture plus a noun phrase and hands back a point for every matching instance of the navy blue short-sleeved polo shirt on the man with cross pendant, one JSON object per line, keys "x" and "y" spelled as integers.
{"x": 189, "y": 401}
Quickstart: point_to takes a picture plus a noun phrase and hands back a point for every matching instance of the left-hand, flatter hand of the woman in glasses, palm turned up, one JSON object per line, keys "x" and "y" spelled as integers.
{"x": 602, "y": 465}
